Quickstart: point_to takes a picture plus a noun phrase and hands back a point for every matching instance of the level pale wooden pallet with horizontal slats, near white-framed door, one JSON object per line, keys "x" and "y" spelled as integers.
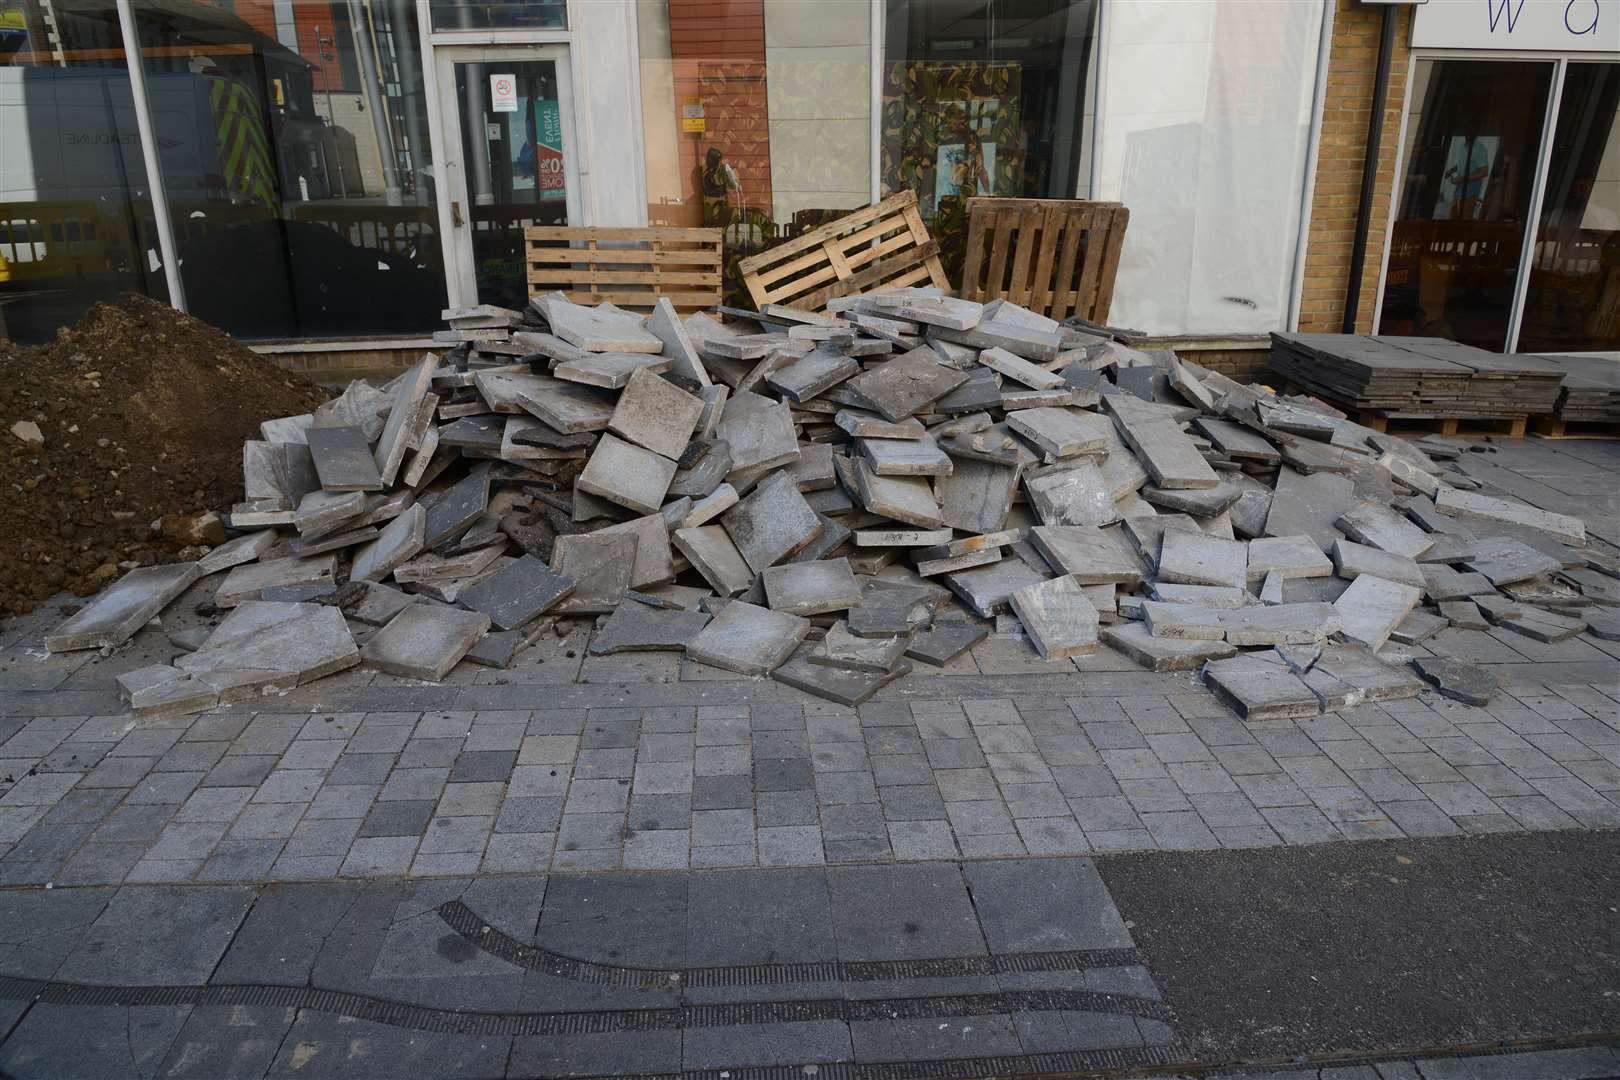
{"x": 631, "y": 268}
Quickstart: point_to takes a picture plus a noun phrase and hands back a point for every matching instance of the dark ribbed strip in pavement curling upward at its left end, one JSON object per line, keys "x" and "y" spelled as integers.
{"x": 475, "y": 930}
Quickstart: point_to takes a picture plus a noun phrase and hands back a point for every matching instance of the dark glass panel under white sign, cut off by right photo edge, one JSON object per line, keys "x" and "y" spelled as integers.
{"x": 1574, "y": 300}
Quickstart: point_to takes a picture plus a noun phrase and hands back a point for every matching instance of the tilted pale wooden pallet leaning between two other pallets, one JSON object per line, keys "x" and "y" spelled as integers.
{"x": 882, "y": 247}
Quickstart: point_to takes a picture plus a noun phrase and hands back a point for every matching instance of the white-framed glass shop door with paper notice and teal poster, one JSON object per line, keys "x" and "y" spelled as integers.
{"x": 511, "y": 161}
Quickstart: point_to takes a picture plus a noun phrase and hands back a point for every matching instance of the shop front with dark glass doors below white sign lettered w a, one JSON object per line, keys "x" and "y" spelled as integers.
{"x": 1506, "y": 227}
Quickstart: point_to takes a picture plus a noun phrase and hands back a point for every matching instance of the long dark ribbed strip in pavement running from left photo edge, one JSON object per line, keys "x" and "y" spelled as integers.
{"x": 416, "y": 1018}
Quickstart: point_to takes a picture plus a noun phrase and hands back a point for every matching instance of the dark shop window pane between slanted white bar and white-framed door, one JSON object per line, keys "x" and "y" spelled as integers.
{"x": 294, "y": 143}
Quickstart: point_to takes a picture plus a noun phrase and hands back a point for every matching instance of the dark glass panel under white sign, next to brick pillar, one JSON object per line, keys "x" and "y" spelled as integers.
{"x": 1475, "y": 135}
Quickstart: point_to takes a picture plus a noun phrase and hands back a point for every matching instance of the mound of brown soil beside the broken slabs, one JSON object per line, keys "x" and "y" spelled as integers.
{"x": 143, "y": 414}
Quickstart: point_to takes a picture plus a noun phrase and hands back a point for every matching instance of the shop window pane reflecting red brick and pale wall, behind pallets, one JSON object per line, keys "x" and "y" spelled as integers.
{"x": 757, "y": 116}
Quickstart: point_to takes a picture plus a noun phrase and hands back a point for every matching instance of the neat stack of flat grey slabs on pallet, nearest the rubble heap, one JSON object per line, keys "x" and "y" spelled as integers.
{"x": 1418, "y": 378}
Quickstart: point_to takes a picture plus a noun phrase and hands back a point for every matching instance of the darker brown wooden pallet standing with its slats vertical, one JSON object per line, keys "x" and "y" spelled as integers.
{"x": 1054, "y": 257}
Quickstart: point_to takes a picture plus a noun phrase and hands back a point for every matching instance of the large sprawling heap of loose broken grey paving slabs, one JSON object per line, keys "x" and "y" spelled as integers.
{"x": 827, "y": 498}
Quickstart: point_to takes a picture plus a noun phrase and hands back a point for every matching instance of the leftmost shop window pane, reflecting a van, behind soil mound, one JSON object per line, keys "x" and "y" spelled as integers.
{"x": 75, "y": 211}
